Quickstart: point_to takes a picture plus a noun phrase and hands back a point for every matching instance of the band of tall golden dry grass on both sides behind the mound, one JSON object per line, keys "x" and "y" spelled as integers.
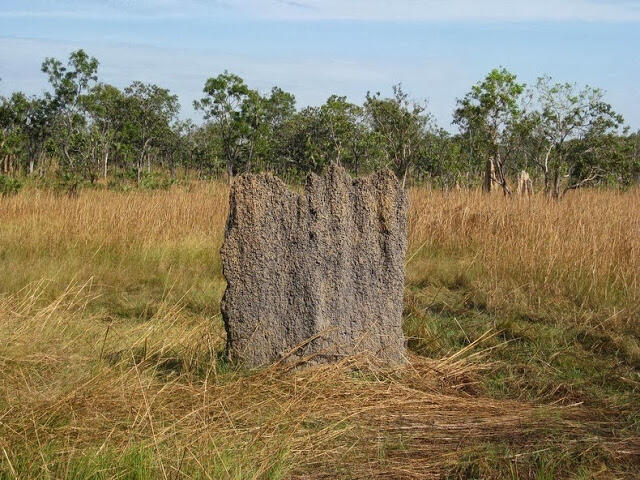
{"x": 583, "y": 250}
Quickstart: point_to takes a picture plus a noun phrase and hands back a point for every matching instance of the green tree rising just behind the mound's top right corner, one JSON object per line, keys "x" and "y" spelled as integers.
{"x": 400, "y": 126}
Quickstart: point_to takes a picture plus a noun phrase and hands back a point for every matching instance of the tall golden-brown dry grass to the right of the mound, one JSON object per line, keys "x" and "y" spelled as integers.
{"x": 583, "y": 251}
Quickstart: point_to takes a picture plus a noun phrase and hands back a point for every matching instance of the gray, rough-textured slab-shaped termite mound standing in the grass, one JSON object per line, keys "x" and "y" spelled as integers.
{"x": 317, "y": 275}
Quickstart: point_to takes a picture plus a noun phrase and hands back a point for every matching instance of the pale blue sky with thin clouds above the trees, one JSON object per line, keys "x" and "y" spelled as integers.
{"x": 437, "y": 49}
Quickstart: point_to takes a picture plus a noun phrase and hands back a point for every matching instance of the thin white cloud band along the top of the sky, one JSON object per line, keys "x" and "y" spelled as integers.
{"x": 365, "y": 10}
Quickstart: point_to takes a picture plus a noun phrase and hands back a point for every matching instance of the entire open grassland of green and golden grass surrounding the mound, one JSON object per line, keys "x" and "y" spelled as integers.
{"x": 523, "y": 318}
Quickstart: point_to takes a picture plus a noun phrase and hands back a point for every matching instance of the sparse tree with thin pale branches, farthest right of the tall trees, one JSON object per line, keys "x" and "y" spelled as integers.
{"x": 575, "y": 123}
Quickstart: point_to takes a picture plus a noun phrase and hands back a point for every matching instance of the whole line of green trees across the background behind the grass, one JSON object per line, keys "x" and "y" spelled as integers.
{"x": 83, "y": 130}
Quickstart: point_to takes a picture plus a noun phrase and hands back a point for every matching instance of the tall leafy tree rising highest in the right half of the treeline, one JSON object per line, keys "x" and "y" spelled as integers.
{"x": 487, "y": 112}
